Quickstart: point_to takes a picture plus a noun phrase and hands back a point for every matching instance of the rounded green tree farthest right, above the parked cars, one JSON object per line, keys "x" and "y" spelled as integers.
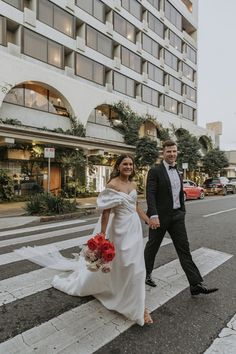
{"x": 214, "y": 162}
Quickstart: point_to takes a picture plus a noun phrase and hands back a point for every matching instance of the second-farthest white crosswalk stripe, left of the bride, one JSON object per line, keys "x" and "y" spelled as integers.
{"x": 36, "y": 237}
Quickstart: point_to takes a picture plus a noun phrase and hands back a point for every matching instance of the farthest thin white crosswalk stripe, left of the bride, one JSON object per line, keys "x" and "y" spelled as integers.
{"x": 43, "y": 227}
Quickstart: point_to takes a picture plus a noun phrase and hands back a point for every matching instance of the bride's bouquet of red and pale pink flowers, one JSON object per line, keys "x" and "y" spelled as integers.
{"x": 99, "y": 253}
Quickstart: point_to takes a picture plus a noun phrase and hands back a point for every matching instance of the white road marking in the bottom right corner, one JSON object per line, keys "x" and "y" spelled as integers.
{"x": 226, "y": 341}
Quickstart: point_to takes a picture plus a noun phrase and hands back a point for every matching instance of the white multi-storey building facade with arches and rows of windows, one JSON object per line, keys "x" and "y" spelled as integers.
{"x": 77, "y": 58}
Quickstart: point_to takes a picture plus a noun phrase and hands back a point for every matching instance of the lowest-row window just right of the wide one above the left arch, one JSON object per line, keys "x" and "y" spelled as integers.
{"x": 89, "y": 69}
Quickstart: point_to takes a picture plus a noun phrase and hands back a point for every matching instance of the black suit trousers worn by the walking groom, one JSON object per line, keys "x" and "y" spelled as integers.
{"x": 175, "y": 225}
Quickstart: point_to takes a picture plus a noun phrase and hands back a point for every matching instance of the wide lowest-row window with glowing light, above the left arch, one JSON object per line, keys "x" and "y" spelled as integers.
{"x": 42, "y": 48}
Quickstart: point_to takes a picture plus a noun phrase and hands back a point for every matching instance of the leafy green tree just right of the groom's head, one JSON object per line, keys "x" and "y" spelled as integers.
{"x": 188, "y": 147}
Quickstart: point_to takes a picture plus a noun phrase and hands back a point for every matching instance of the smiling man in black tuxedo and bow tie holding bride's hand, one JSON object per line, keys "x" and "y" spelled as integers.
{"x": 165, "y": 201}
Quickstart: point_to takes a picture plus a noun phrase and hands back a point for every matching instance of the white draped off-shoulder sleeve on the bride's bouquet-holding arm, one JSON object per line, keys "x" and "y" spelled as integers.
{"x": 109, "y": 198}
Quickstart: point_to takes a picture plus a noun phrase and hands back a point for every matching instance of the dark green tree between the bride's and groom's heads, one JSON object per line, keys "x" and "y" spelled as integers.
{"x": 146, "y": 153}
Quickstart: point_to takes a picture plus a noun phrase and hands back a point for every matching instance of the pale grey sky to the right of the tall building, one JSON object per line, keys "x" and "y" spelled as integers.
{"x": 217, "y": 67}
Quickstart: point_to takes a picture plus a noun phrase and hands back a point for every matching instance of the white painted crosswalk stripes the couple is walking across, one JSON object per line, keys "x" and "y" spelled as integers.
{"x": 85, "y": 327}
